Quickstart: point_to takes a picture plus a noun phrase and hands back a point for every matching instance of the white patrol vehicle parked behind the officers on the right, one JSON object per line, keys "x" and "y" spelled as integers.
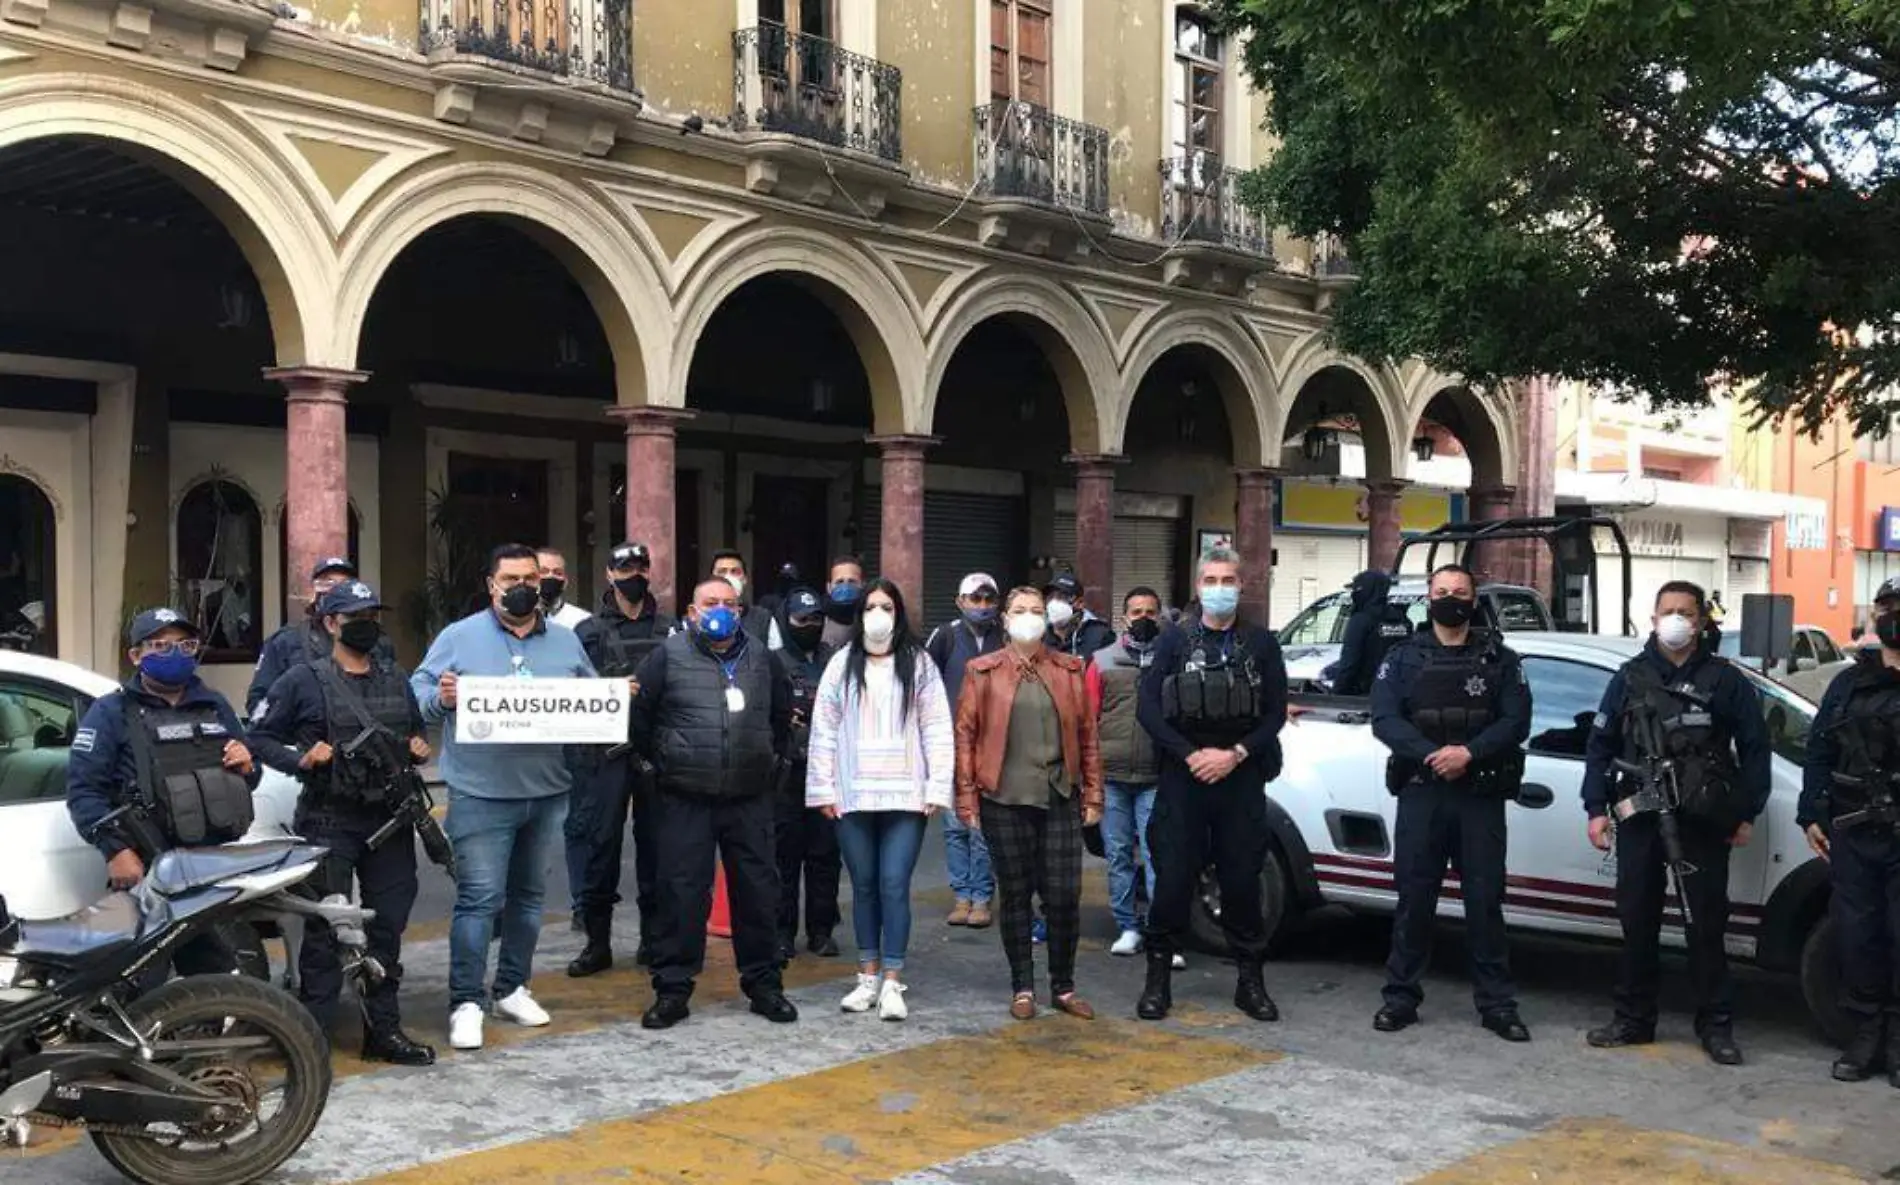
{"x": 1333, "y": 823}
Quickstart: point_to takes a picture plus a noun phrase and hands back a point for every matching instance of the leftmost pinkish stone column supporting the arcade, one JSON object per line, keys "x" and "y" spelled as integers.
{"x": 316, "y": 478}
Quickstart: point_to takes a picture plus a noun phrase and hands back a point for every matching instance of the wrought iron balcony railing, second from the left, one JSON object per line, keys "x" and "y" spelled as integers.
{"x": 818, "y": 90}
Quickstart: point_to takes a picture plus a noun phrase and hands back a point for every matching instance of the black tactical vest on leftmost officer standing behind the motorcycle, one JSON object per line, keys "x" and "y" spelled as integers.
{"x": 180, "y": 755}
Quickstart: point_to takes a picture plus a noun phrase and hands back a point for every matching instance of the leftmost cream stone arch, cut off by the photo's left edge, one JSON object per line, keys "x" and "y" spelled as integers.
{"x": 244, "y": 187}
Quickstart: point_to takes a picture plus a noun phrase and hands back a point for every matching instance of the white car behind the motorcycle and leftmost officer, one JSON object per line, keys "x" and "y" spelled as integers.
{"x": 47, "y": 871}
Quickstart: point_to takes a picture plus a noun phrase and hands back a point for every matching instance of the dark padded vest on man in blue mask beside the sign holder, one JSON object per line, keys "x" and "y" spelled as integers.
{"x": 702, "y": 747}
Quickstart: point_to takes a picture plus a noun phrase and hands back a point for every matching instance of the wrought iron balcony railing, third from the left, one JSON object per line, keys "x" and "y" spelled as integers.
{"x": 1023, "y": 151}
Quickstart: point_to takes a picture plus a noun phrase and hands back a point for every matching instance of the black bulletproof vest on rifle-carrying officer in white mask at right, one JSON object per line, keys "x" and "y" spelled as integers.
{"x": 1700, "y": 747}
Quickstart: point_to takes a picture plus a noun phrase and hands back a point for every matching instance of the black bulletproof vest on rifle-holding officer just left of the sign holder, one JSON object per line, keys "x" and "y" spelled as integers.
{"x": 370, "y": 738}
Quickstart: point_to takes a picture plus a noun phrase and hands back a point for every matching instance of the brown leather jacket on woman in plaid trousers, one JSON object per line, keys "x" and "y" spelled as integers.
{"x": 983, "y": 724}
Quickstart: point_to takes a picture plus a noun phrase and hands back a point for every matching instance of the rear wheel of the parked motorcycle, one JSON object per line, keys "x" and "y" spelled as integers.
{"x": 276, "y": 1066}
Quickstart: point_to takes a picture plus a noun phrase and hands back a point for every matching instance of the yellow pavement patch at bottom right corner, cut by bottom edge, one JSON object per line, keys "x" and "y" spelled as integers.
{"x": 1603, "y": 1152}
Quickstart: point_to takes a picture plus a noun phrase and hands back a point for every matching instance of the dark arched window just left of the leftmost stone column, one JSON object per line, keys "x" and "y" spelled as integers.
{"x": 221, "y": 544}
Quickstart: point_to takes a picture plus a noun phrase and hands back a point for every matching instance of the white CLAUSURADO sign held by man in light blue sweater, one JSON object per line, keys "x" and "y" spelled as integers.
{"x": 535, "y": 711}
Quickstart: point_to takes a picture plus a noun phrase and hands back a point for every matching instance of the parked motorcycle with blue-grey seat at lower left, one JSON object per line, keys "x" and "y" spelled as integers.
{"x": 208, "y": 1080}
